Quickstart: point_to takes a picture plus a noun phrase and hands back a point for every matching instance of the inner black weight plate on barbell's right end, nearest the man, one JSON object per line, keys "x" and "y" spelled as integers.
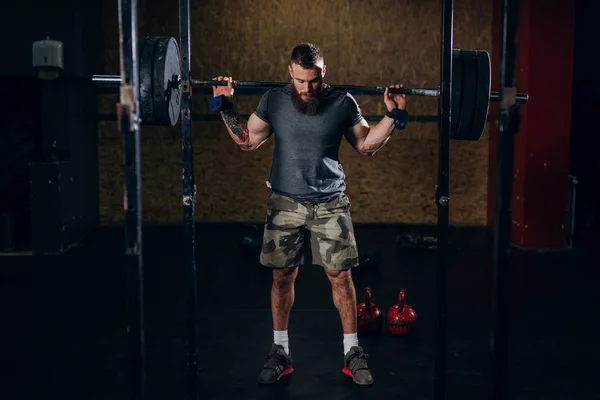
{"x": 468, "y": 96}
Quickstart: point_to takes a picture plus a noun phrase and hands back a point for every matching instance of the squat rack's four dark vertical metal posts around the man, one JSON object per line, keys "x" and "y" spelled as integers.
{"x": 128, "y": 115}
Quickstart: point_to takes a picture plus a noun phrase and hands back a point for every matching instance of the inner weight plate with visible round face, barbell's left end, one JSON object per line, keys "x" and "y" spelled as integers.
{"x": 166, "y": 75}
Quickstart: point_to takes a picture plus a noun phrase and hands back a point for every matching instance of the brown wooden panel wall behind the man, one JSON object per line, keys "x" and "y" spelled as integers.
{"x": 251, "y": 40}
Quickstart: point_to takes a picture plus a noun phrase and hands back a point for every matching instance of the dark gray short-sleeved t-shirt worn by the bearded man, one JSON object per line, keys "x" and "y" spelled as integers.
{"x": 305, "y": 163}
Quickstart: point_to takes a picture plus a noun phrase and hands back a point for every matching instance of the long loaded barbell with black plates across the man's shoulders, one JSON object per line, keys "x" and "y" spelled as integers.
{"x": 160, "y": 87}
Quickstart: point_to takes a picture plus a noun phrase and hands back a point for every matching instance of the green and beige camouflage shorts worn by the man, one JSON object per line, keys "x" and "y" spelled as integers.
{"x": 332, "y": 241}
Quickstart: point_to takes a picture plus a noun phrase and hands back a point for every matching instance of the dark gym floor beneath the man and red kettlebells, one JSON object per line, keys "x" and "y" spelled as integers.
{"x": 64, "y": 317}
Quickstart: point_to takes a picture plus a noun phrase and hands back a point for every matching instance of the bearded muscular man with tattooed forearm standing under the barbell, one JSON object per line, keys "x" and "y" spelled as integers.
{"x": 306, "y": 192}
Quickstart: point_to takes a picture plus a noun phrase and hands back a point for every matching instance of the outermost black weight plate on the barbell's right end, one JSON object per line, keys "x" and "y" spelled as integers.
{"x": 482, "y": 101}
